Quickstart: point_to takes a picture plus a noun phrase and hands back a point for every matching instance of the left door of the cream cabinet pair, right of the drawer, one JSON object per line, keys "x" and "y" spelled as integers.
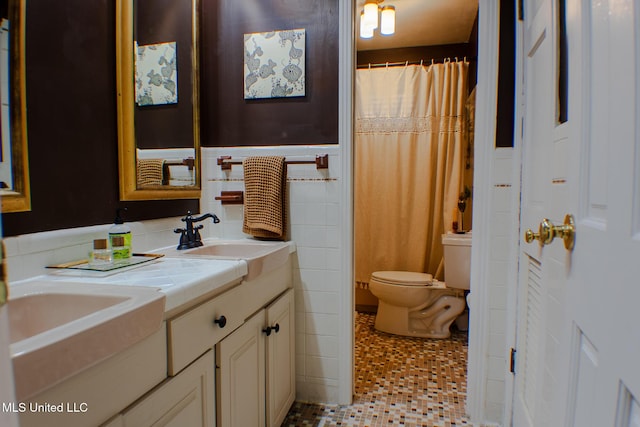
{"x": 240, "y": 375}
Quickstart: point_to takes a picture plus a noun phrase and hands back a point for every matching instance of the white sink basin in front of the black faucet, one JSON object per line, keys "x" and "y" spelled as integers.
{"x": 260, "y": 257}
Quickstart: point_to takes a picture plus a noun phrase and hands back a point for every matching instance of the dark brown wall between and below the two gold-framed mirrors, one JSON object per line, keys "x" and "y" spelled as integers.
{"x": 71, "y": 101}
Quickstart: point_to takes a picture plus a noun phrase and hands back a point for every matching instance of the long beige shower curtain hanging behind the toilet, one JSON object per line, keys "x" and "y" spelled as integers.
{"x": 409, "y": 142}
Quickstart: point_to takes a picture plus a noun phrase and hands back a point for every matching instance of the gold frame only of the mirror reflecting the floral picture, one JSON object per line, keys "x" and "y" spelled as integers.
{"x": 126, "y": 111}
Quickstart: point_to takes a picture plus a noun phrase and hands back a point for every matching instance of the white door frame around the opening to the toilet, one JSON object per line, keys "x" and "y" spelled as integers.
{"x": 484, "y": 152}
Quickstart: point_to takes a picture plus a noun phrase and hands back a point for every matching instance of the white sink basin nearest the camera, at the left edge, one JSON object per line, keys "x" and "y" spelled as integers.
{"x": 59, "y": 329}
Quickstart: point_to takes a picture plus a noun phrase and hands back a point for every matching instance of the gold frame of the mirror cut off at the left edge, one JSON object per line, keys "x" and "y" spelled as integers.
{"x": 18, "y": 200}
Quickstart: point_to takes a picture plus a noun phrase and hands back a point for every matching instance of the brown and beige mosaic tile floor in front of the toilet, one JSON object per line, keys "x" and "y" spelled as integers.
{"x": 399, "y": 381}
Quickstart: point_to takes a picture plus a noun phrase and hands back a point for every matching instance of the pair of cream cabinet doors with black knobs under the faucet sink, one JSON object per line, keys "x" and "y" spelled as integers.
{"x": 256, "y": 370}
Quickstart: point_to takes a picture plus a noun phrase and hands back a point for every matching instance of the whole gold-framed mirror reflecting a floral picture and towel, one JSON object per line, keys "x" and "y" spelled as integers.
{"x": 151, "y": 168}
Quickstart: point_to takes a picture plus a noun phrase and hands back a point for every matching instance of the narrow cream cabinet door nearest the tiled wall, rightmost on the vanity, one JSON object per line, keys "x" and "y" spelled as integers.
{"x": 281, "y": 371}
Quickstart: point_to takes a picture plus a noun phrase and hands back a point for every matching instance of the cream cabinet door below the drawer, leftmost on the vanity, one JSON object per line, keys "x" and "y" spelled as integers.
{"x": 184, "y": 400}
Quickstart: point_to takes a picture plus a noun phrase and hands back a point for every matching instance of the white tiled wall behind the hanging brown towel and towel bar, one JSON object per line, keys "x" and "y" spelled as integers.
{"x": 315, "y": 226}
